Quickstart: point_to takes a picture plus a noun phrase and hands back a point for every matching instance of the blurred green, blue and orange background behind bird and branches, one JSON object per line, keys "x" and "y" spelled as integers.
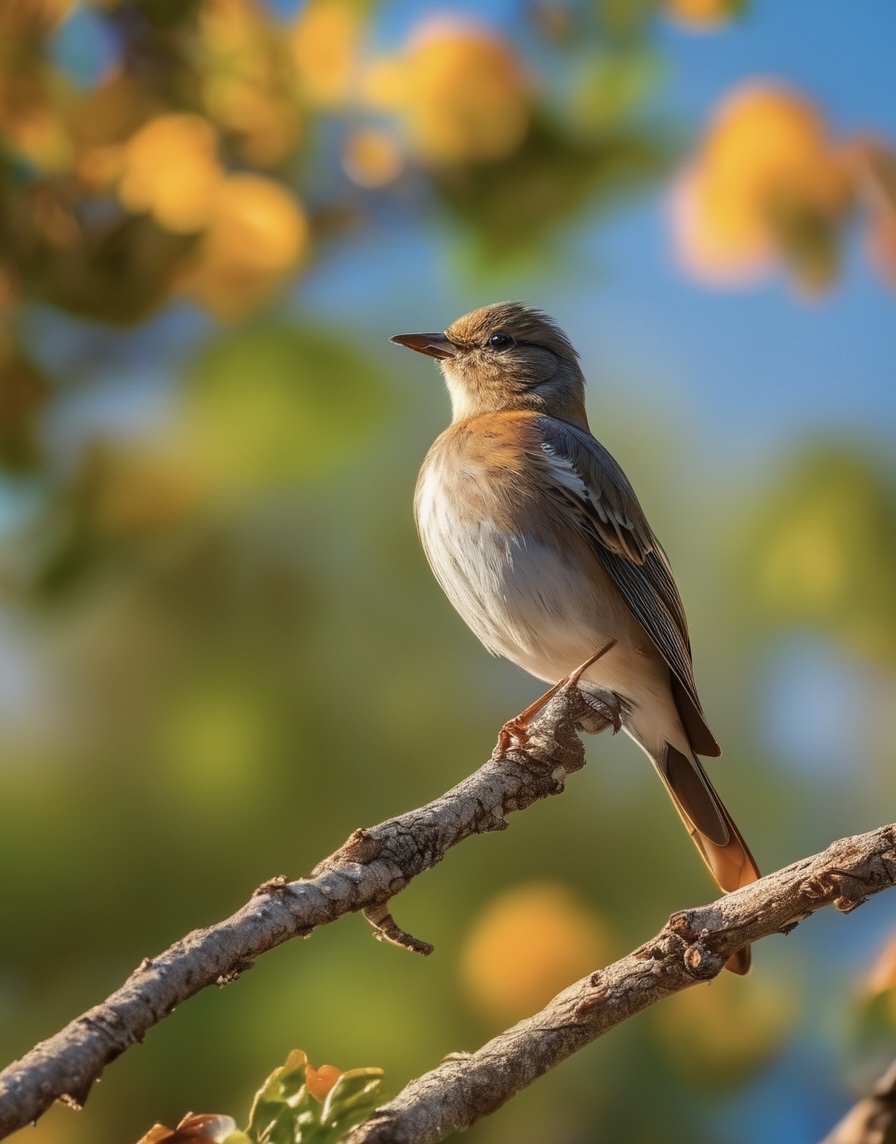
{"x": 220, "y": 647}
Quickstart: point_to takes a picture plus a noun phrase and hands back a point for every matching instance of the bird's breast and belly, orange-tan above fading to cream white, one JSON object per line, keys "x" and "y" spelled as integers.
{"x": 527, "y": 585}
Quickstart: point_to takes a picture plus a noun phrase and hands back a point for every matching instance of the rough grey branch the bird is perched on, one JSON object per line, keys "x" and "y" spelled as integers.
{"x": 364, "y": 875}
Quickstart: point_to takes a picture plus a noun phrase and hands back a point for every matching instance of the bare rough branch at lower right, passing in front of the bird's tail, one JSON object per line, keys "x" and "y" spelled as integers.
{"x": 692, "y": 948}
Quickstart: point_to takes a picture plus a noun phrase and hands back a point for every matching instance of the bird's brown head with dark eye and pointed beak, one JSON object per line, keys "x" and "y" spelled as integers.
{"x": 506, "y": 356}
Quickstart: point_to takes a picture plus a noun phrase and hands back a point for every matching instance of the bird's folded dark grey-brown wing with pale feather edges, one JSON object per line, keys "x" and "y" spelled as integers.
{"x": 592, "y": 487}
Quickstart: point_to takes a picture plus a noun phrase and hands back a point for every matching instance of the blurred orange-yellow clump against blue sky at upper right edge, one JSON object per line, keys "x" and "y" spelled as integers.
{"x": 768, "y": 185}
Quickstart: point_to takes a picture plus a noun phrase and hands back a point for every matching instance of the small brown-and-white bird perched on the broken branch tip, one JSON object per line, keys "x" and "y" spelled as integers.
{"x": 537, "y": 538}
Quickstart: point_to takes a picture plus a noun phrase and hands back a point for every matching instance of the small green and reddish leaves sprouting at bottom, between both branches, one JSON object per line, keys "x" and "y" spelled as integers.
{"x": 298, "y": 1105}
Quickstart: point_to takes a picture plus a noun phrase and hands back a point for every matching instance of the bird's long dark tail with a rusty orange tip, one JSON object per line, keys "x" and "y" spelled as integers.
{"x": 710, "y": 825}
